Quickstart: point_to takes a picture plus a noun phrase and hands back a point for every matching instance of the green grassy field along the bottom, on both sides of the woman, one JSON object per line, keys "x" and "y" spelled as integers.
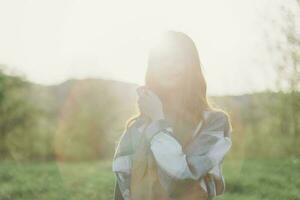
{"x": 245, "y": 179}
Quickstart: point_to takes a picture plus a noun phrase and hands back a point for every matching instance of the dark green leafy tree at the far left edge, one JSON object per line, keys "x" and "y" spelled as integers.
{"x": 17, "y": 117}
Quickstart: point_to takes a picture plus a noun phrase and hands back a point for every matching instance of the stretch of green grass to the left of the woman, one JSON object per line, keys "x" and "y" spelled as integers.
{"x": 92, "y": 180}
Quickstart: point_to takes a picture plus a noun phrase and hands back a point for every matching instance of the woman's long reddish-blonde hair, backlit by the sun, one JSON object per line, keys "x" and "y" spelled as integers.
{"x": 191, "y": 91}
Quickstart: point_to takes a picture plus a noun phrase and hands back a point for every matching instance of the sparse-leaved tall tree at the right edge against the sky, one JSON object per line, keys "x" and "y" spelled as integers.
{"x": 285, "y": 52}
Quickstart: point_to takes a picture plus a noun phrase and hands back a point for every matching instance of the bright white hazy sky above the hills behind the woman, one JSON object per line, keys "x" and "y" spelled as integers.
{"x": 51, "y": 41}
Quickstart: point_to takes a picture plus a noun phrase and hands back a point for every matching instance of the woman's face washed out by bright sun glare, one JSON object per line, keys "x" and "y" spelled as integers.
{"x": 169, "y": 69}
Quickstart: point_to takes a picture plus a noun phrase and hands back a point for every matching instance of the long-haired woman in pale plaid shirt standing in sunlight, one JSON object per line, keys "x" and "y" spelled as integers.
{"x": 175, "y": 147}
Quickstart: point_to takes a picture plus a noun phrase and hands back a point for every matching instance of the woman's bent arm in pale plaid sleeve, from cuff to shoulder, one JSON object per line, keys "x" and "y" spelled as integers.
{"x": 171, "y": 159}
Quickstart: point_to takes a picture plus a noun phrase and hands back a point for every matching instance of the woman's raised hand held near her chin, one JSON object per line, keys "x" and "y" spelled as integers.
{"x": 150, "y": 104}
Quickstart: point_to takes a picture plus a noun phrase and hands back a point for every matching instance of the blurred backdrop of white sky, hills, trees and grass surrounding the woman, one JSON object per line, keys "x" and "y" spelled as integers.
{"x": 69, "y": 70}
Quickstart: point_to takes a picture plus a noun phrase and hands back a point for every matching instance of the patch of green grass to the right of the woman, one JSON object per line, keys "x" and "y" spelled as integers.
{"x": 268, "y": 179}
